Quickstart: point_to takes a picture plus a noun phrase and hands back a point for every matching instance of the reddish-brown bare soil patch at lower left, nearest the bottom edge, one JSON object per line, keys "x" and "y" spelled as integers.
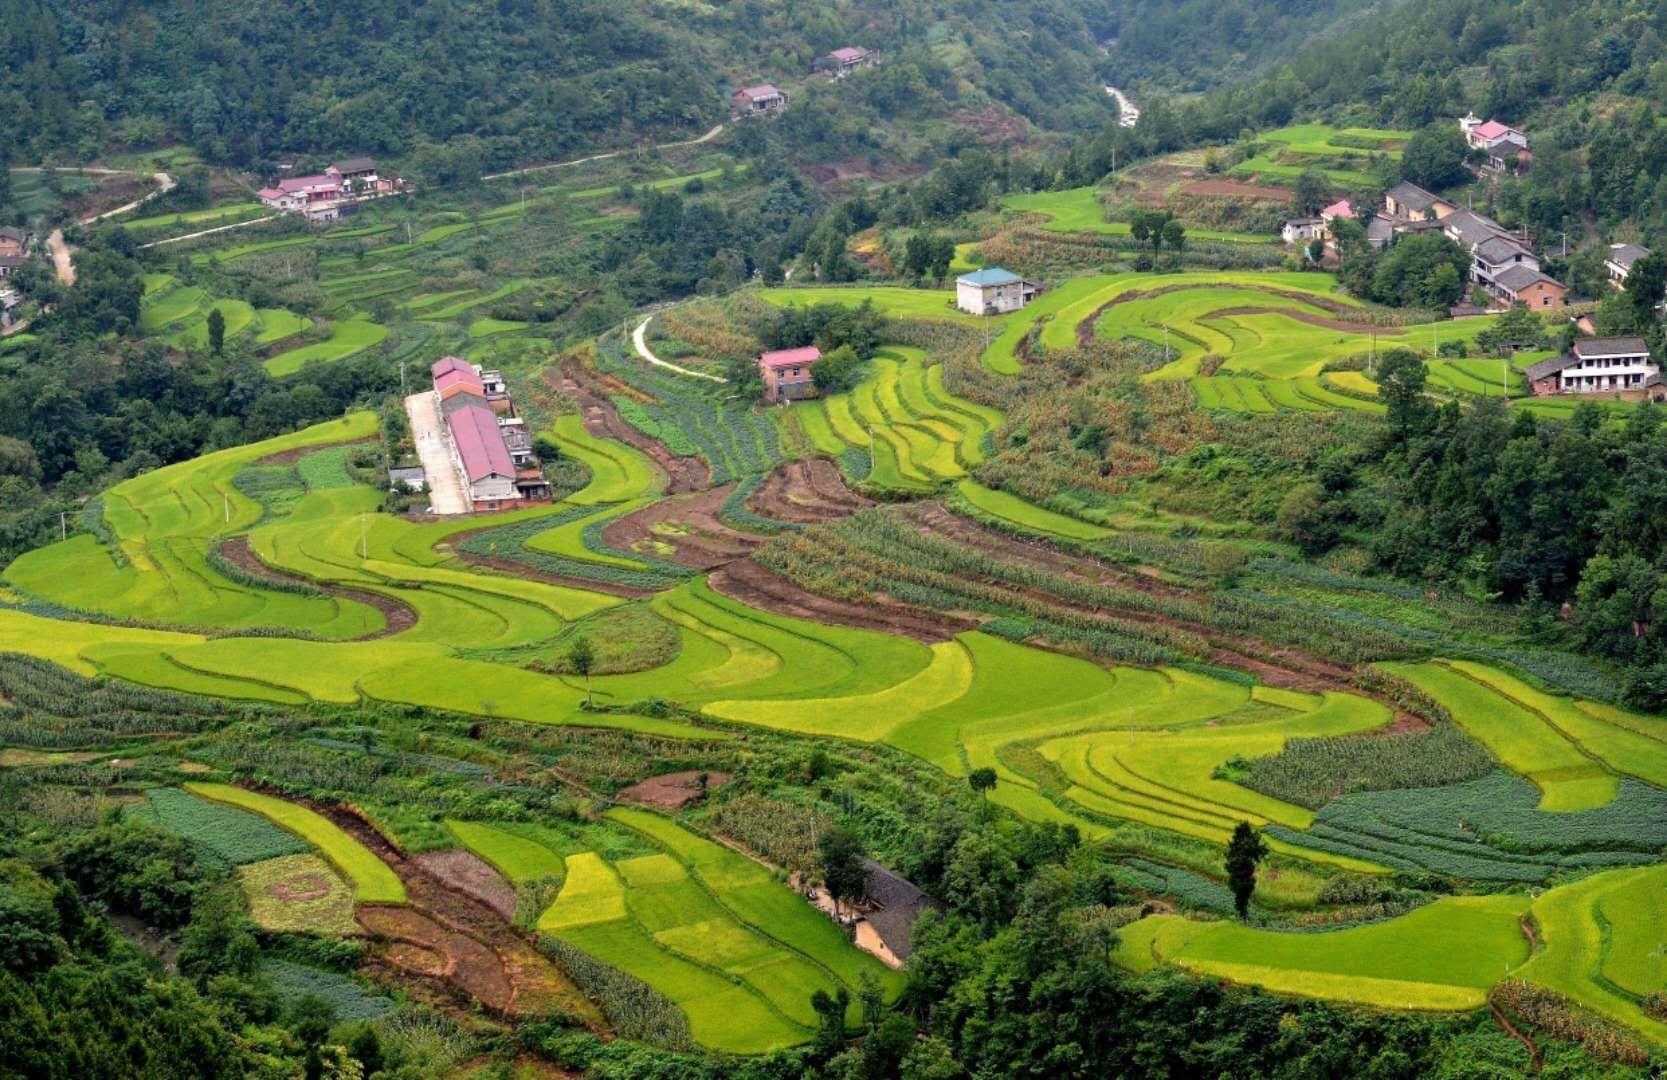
{"x": 484, "y": 957}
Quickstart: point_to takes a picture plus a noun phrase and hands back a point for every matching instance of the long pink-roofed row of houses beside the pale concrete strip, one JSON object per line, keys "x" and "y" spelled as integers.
{"x": 488, "y": 442}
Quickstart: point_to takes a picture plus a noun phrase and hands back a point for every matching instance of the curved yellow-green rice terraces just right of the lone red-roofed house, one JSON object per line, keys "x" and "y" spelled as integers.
{"x": 916, "y": 432}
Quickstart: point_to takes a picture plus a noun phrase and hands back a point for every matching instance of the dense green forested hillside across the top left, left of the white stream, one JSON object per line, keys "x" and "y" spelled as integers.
{"x": 509, "y": 81}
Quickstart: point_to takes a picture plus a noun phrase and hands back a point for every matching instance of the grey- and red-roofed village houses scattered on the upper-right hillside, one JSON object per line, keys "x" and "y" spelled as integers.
{"x": 1504, "y": 266}
